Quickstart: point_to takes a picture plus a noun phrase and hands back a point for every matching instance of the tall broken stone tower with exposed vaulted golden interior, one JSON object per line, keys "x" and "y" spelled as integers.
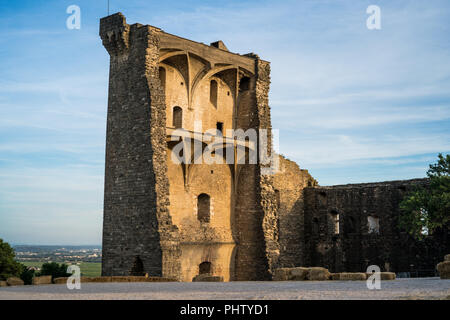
{"x": 182, "y": 219}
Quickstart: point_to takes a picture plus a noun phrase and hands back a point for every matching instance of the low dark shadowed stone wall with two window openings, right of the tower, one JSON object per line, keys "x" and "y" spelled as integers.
{"x": 357, "y": 246}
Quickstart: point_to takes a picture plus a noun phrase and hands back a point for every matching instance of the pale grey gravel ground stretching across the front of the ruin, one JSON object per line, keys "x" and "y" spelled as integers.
{"x": 424, "y": 288}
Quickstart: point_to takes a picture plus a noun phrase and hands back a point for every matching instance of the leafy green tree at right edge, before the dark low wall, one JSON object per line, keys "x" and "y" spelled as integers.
{"x": 427, "y": 209}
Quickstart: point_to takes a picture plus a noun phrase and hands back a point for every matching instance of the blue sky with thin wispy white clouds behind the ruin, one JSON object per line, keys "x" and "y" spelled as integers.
{"x": 352, "y": 104}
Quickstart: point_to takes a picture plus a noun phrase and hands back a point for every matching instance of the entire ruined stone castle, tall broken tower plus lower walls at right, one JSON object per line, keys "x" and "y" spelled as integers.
{"x": 232, "y": 220}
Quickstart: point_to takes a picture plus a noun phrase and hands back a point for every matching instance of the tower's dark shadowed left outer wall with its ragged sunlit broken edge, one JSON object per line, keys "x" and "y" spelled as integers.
{"x": 136, "y": 219}
